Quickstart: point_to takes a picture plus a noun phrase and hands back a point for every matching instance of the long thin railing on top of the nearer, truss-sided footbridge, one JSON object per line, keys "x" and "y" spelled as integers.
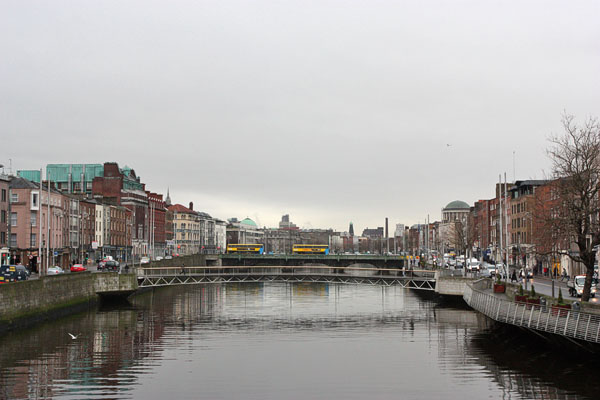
{"x": 283, "y": 270}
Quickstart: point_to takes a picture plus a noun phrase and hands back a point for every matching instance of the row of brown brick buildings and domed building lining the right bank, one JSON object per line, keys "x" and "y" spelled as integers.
{"x": 506, "y": 228}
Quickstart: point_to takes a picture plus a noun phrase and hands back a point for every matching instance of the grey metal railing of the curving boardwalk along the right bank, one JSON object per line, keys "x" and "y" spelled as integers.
{"x": 545, "y": 318}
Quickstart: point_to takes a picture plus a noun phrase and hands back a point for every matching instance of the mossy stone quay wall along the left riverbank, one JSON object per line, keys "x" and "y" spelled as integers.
{"x": 28, "y": 302}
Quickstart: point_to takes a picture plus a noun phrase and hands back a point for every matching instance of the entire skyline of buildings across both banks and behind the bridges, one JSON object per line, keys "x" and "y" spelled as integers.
{"x": 83, "y": 212}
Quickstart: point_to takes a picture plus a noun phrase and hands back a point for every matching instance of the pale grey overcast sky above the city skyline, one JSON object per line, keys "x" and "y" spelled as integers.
{"x": 331, "y": 111}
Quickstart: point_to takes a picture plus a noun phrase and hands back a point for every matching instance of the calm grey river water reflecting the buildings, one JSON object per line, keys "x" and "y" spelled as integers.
{"x": 284, "y": 341}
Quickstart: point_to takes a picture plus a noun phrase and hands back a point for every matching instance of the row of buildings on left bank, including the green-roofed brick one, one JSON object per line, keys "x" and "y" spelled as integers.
{"x": 84, "y": 212}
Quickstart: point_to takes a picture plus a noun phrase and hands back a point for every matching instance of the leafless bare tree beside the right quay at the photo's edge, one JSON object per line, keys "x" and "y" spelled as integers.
{"x": 573, "y": 216}
